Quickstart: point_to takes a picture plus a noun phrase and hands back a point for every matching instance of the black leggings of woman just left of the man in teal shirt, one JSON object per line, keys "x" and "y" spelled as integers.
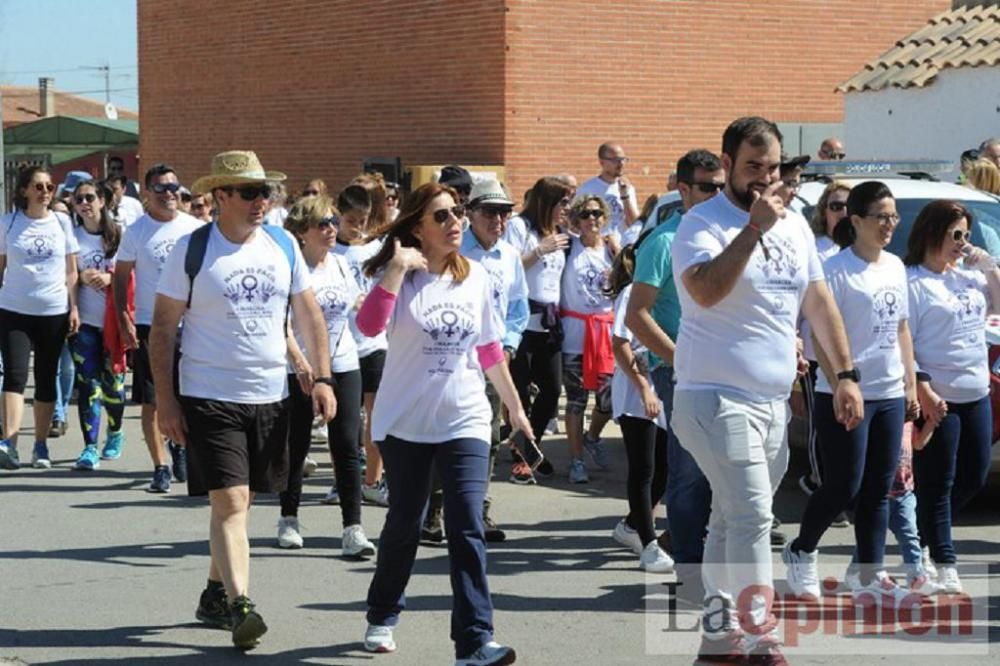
{"x": 646, "y": 450}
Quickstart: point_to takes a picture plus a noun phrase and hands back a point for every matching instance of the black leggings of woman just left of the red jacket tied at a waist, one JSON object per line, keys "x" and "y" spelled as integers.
{"x": 539, "y": 361}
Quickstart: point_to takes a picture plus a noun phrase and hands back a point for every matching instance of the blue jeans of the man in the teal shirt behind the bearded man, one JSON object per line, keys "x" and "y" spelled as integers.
{"x": 688, "y": 497}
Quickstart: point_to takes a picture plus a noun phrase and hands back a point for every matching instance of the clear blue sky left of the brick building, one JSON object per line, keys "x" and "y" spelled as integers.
{"x": 61, "y": 38}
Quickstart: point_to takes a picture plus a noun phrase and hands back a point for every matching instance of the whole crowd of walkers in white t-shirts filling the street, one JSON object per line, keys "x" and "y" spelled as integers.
{"x": 419, "y": 334}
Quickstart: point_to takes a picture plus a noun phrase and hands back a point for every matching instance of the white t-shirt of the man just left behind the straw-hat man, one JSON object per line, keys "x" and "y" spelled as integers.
{"x": 147, "y": 243}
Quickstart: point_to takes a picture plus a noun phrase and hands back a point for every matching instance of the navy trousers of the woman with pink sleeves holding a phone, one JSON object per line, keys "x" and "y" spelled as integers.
{"x": 462, "y": 465}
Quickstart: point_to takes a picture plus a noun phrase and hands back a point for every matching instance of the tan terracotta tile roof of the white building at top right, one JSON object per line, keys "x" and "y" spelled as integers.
{"x": 964, "y": 37}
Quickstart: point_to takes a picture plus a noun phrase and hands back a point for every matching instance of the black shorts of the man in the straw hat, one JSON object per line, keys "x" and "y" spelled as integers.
{"x": 232, "y": 444}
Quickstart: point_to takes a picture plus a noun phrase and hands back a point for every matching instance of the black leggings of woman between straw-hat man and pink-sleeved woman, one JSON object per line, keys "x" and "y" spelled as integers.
{"x": 342, "y": 437}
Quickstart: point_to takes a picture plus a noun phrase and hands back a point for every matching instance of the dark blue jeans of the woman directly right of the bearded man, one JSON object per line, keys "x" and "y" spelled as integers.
{"x": 858, "y": 466}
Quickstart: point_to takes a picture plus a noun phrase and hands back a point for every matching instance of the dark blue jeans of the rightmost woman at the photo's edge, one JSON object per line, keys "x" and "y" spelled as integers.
{"x": 949, "y": 472}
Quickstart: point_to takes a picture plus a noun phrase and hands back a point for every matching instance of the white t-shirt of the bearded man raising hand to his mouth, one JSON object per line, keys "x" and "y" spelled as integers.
{"x": 745, "y": 343}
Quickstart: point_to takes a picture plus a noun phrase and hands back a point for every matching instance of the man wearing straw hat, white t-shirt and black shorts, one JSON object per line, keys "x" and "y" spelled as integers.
{"x": 233, "y": 283}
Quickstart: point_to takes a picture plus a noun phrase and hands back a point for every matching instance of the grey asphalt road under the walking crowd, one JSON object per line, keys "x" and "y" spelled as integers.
{"x": 97, "y": 571}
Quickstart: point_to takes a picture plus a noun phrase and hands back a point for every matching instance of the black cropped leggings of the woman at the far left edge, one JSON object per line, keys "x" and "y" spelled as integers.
{"x": 18, "y": 334}
